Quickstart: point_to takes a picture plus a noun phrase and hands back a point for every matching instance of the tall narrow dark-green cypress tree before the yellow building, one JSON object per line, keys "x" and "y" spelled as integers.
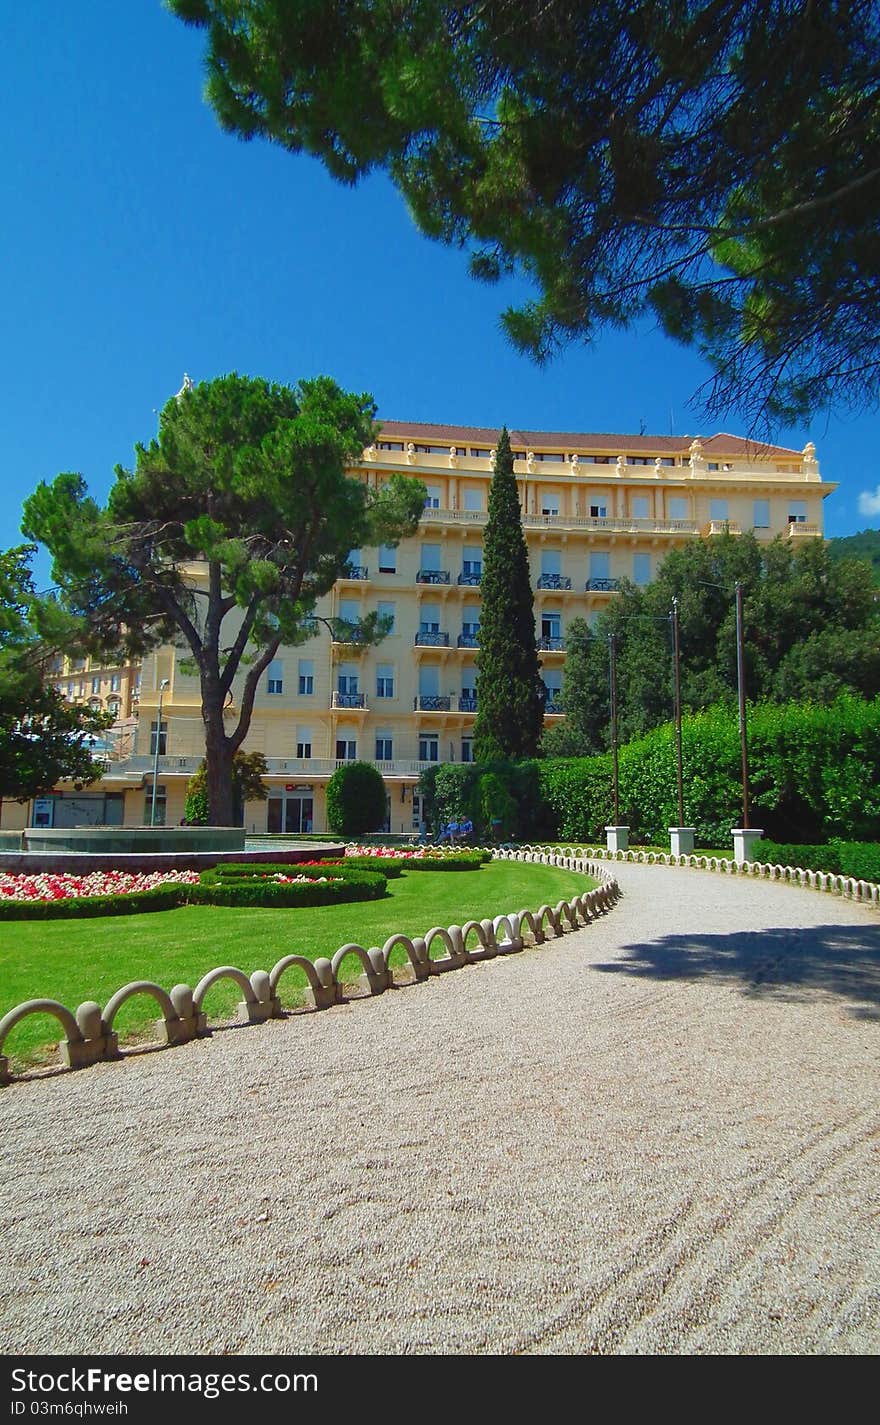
{"x": 510, "y": 695}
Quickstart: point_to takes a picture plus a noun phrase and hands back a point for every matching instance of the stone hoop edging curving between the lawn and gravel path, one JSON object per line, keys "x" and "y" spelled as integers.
{"x": 90, "y": 1037}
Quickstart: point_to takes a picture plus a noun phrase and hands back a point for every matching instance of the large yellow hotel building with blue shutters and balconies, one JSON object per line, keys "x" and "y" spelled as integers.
{"x": 596, "y": 509}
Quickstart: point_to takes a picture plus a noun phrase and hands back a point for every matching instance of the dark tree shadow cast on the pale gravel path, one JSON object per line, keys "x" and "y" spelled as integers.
{"x": 787, "y": 964}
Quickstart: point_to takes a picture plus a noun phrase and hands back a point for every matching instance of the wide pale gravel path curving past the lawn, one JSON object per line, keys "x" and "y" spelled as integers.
{"x": 657, "y": 1135}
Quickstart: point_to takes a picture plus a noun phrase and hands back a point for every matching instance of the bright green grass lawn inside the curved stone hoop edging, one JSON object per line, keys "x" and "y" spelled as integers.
{"x": 75, "y": 961}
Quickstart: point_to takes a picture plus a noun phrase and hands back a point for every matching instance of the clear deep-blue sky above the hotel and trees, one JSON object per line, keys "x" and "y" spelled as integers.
{"x": 140, "y": 242}
